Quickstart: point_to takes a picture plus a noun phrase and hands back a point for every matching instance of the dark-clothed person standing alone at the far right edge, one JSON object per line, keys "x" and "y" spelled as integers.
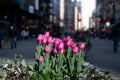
{"x": 115, "y": 37}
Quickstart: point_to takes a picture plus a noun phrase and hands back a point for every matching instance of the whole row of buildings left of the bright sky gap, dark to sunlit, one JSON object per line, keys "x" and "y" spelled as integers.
{"x": 21, "y": 13}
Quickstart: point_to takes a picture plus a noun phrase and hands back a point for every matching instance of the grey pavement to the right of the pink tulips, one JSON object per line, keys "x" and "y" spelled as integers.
{"x": 102, "y": 56}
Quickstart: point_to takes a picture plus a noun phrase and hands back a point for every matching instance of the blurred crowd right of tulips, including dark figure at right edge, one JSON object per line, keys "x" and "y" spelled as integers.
{"x": 110, "y": 33}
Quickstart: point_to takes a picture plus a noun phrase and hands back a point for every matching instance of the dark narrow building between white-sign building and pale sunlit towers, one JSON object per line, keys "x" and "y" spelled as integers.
{"x": 46, "y": 10}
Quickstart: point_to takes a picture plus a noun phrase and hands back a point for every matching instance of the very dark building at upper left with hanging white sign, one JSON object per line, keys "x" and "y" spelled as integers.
{"x": 17, "y": 12}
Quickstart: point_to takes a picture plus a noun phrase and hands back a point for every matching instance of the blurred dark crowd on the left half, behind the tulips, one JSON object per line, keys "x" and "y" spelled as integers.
{"x": 10, "y": 34}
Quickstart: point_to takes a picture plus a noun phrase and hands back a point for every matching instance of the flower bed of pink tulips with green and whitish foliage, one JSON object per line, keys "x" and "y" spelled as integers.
{"x": 56, "y": 59}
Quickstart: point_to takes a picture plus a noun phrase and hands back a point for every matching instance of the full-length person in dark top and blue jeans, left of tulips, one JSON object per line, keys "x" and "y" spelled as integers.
{"x": 13, "y": 37}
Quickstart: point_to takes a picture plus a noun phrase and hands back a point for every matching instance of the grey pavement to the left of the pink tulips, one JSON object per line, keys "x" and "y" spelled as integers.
{"x": 24, "y": 47}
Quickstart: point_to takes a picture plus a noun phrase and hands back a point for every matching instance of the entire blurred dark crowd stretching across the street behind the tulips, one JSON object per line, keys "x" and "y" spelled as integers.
{"x": 12, "y": 33}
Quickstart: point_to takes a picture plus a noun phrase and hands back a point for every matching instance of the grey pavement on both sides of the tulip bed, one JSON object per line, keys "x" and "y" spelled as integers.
{"x": 101, "y": 54}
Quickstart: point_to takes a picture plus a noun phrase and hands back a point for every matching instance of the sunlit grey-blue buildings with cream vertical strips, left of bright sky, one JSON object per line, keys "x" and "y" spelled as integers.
{"x": 67, "y": 13}
